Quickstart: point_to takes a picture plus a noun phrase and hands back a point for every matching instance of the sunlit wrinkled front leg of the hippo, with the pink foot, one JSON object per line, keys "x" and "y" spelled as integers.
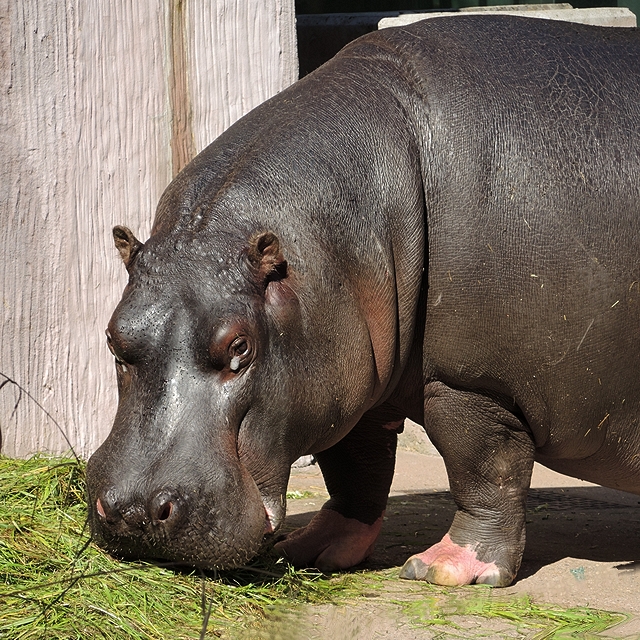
{"x": 489, "y": 457}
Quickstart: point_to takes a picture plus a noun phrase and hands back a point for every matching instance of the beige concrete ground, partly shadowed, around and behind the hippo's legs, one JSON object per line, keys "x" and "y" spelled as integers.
{"x": 583, "y": 547}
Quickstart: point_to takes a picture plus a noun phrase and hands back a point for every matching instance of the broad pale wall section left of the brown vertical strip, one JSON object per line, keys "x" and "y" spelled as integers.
{"x": 88, "y": 146}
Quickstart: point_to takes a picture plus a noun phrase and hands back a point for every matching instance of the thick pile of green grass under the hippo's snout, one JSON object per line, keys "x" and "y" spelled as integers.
{"x": 54, "y": 584}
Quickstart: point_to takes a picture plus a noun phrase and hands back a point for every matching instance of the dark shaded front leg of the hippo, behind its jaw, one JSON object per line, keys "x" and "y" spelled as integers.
{"x": 358, "y": 472}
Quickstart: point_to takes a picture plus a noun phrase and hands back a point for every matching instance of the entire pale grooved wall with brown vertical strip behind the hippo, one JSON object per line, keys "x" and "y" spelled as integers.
{"x": 101, "y": 103}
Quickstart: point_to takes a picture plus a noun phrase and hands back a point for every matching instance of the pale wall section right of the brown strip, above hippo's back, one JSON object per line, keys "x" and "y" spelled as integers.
{"x": 239, "y": 54}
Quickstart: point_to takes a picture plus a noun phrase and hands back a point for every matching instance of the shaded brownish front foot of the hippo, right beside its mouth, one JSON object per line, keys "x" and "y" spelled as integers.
{"x": 330, "y": 542}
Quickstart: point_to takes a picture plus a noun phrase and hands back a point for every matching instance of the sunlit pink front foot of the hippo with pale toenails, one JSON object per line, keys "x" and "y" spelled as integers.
{"x": 449, "y": 564}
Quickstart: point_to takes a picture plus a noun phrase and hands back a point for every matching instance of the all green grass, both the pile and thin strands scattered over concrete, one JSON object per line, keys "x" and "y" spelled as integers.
{"x": 55, "y": 584}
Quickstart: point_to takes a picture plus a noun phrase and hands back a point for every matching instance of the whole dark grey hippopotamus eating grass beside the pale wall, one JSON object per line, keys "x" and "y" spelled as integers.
{"x": 442, "y": 223}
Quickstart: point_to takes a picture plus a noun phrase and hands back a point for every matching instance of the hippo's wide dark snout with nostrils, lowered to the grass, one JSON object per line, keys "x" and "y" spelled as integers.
{"x": 215, "y": 521}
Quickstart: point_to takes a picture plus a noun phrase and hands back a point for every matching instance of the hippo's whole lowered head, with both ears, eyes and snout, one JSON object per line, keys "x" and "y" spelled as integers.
{"x": 210, "y": 353}
